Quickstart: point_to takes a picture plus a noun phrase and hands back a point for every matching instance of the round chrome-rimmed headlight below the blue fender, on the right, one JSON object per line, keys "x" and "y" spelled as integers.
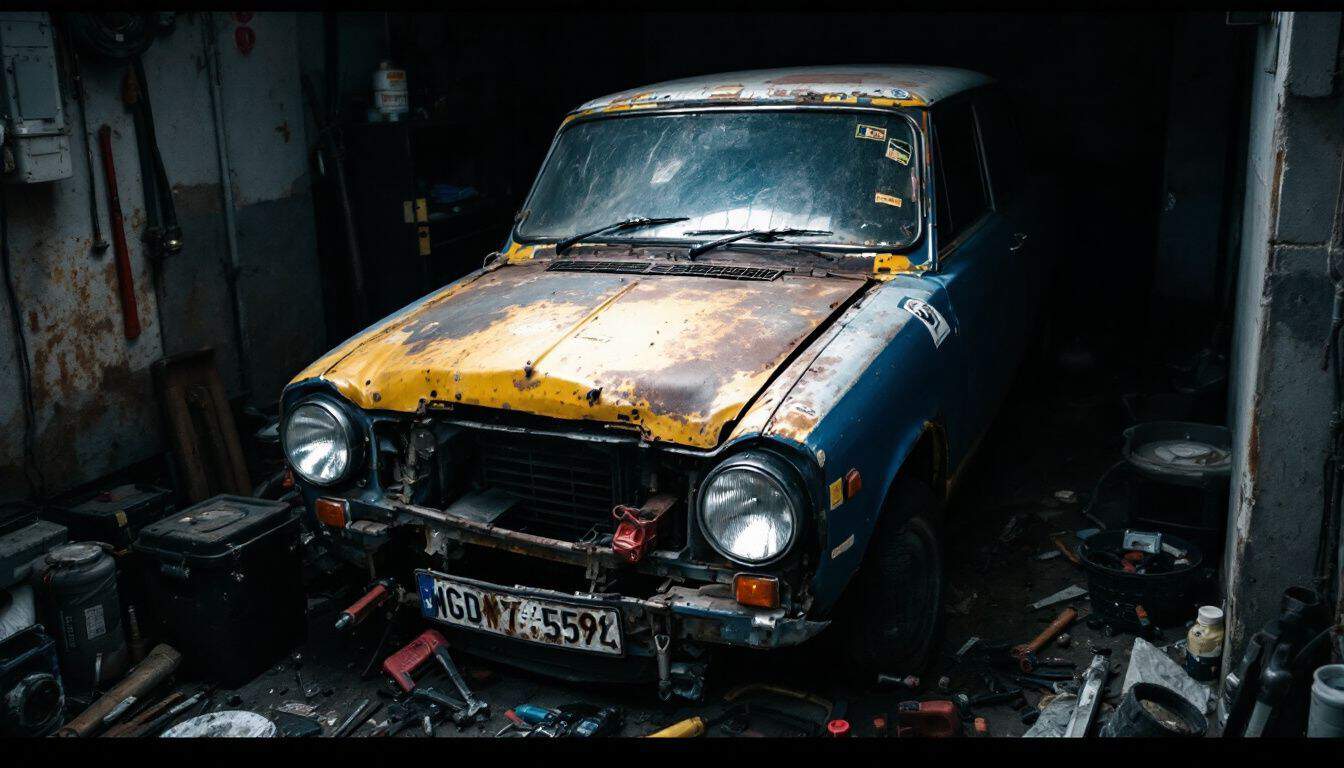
{"x": 751, "y": 509}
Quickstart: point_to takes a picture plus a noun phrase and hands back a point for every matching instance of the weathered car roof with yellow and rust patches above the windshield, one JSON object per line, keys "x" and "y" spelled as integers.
{"x": 859, "y": 85}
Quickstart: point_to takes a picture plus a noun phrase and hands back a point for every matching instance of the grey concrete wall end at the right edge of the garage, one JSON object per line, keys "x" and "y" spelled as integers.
{"x": 1280, "y": 399}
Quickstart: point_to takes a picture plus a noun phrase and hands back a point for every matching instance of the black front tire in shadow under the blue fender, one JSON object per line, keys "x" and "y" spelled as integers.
{"x": 894, "y": 619}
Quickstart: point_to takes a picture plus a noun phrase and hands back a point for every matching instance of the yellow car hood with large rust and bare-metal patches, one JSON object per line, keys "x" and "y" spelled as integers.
{"x": 679, "y": 357}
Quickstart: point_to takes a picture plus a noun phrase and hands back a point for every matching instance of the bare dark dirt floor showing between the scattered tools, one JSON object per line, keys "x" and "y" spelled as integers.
{"x": 1033, "y": 453}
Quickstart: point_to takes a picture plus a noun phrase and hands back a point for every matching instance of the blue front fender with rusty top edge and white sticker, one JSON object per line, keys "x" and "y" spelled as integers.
{"x": 866, "y": 397}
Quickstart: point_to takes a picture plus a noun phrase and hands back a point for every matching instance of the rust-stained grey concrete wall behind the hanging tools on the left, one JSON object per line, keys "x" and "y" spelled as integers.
{"x": 95, "y": 399}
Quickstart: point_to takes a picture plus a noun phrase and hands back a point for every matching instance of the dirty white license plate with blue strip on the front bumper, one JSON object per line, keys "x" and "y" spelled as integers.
{"x": 499, "y": 613}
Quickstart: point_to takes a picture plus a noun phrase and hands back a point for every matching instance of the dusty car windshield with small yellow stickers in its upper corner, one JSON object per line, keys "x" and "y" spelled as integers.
{"x": 853, "y": 174}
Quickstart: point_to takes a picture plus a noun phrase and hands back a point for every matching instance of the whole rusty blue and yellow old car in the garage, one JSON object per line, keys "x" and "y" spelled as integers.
{"x": 714, "y": 389}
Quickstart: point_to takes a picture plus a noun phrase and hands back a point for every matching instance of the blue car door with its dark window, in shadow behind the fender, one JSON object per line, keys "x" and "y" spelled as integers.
{"x": 979, "y": 245}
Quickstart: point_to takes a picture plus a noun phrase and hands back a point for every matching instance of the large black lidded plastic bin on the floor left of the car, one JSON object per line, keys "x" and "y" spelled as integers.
{"x": 225, "y": 584}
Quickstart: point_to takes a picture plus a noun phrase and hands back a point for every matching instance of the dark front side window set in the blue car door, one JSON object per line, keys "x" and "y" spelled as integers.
{"x": 962, "y": 185}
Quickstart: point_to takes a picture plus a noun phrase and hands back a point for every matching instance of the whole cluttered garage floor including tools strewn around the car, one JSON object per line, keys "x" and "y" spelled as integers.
{"x": 1013, "y": 539}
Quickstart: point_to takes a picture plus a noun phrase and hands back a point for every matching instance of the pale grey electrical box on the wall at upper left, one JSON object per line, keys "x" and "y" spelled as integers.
{"x": 33, "y": 118}
